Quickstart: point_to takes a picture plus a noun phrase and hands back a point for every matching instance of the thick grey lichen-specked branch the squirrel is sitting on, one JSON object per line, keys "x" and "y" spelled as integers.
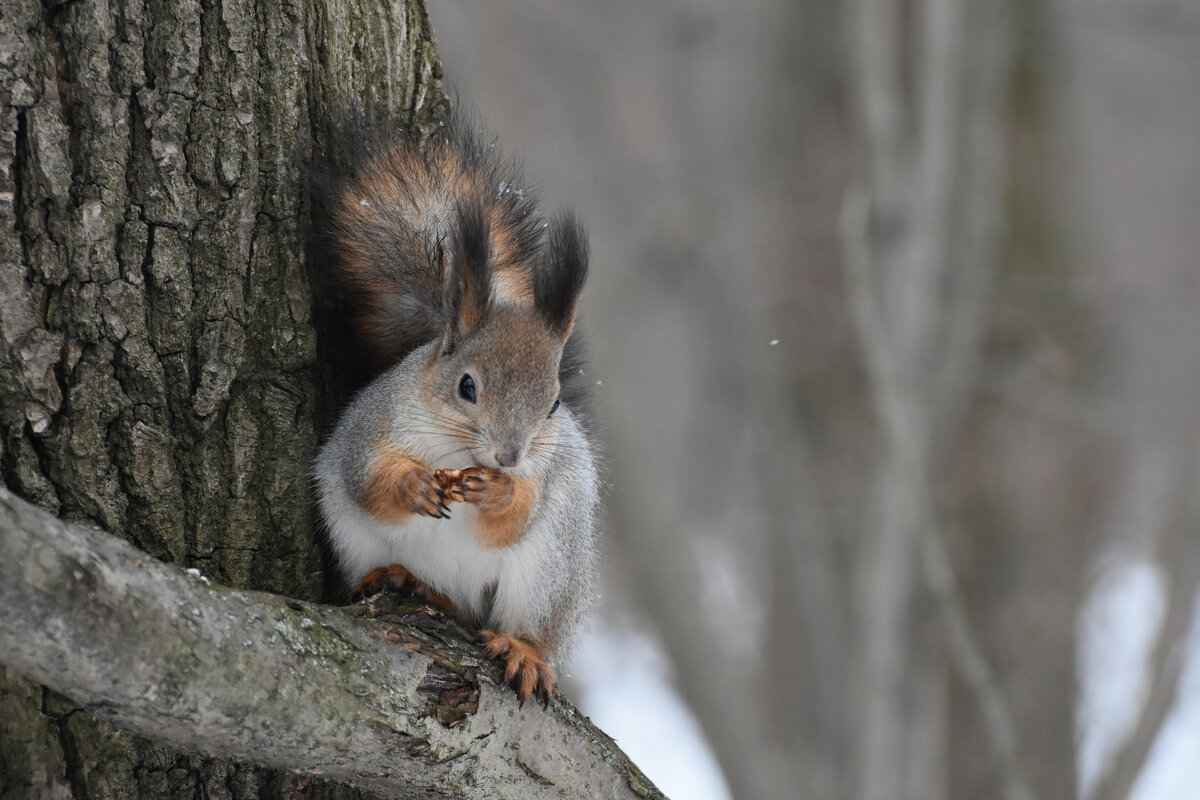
{"x": 403, "y": 707}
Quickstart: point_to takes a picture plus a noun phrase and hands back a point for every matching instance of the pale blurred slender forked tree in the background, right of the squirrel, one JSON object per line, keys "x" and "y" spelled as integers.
{"x": 917, "y": 299}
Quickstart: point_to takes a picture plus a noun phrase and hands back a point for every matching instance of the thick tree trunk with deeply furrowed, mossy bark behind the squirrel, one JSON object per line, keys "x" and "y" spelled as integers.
{"x": 158, "y": 350}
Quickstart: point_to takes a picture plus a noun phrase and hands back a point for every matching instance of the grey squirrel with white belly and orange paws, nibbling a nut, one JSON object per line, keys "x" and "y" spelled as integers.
{"x": 465, "y": 472}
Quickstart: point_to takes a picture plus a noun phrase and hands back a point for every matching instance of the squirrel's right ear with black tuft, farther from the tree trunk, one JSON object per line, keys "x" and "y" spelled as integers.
{"x": 560, "y": 278}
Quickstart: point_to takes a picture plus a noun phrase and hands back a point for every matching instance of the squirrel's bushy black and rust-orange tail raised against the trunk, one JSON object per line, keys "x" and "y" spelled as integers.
{"x": 395, "y": 224}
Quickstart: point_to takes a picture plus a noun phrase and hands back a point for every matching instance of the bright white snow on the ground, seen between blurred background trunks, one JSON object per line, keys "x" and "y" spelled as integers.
{"x": 627, "y": 690}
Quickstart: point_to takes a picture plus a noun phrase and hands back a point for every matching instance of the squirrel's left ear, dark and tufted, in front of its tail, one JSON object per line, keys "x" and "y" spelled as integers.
{"x": 469, "y": 278}
